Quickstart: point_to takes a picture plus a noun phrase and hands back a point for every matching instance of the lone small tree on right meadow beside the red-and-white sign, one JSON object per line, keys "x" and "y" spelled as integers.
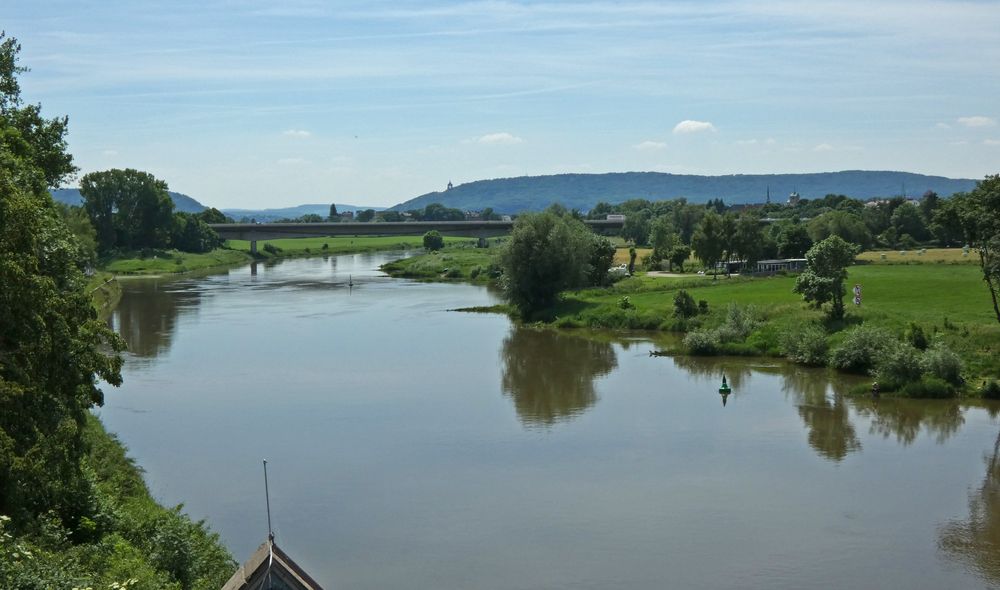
{"x": 826, "y": 270}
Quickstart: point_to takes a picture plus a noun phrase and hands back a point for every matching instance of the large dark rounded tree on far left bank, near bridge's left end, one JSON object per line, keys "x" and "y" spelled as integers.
{"x": 130, "y": 209}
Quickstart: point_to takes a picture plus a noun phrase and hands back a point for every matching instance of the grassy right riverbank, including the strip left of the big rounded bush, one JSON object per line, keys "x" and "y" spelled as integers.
{"x": 935, "y": 299}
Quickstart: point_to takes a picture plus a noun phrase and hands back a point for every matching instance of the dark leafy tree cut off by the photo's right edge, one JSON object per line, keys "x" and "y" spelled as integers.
{"x": 979, "y": 211}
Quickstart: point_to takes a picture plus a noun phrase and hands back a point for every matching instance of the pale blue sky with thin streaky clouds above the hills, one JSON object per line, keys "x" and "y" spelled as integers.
{"x": 258, "y": 104}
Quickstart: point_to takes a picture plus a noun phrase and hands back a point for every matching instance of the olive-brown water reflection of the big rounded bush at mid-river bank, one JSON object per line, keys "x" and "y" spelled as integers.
{"x": 550, "y": 375}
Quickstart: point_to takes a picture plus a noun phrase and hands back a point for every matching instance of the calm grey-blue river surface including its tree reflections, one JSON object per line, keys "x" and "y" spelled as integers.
{"x": 409, "y": 446}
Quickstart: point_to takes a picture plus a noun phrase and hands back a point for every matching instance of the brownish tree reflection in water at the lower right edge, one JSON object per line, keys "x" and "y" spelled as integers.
{"x": 976, "y": 541}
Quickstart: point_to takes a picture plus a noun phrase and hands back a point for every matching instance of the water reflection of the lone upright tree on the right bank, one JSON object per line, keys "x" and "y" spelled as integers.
{"x": 824, "y": 411}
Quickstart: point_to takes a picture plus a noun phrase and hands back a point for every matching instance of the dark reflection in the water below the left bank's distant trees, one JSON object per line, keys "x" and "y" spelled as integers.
{"x": 146, "y": 317}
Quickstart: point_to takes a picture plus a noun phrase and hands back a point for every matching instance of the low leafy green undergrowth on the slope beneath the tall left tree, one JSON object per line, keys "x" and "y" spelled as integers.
{"x": 128, "y": 540}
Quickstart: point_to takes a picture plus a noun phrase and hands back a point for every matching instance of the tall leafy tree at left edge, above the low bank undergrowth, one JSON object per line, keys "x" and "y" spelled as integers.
{"x": 52, "y": 346}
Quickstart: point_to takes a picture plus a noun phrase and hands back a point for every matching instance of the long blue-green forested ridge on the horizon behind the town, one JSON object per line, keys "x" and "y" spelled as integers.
{"x": 583, "y": 191}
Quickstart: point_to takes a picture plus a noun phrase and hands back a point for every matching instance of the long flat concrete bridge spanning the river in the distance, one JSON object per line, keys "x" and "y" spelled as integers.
{"x": 254, "y": 232}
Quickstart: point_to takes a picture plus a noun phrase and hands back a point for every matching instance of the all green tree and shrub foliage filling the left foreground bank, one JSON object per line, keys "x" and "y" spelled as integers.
{"x": 74, "y": 512}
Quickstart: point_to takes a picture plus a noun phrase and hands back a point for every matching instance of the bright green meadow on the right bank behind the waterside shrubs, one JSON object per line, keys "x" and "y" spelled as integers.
{"x": 948, "y": 301}
